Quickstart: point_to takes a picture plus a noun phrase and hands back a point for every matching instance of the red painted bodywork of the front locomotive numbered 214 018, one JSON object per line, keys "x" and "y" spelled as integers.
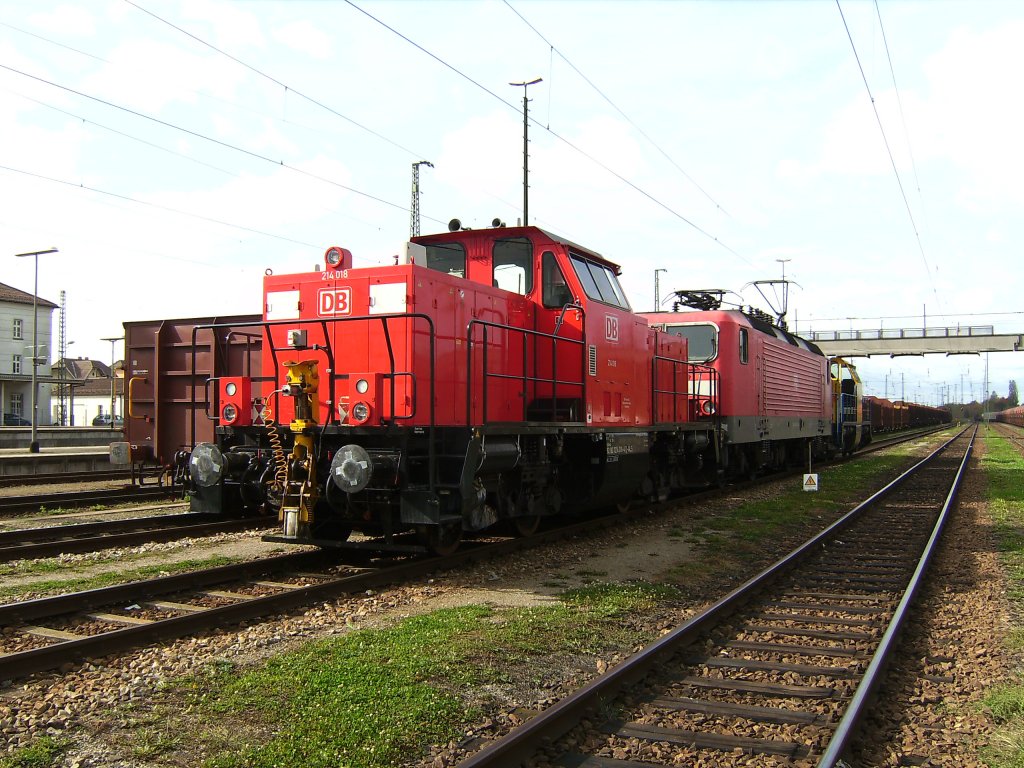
{"x": 495, "y": 361}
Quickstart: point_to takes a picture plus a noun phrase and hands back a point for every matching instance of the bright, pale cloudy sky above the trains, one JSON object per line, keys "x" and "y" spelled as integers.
{"x": 176, "y": 151}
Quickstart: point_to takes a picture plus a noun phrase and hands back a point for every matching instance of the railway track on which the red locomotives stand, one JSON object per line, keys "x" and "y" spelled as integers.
{"x": 48, "y": 633}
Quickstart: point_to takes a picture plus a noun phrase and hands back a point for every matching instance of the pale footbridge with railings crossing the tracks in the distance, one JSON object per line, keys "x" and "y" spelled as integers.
{"x": 898, "y": 343}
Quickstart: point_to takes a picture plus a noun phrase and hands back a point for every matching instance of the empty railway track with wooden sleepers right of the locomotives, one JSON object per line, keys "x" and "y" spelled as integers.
{"x": 784, "y": 667}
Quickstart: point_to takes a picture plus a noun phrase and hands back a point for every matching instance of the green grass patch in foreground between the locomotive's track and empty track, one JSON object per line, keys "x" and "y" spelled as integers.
{"x": 376, "y": 698}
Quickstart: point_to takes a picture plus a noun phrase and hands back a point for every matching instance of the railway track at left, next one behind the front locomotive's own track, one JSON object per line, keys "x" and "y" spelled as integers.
{"x": 90, "y": 537}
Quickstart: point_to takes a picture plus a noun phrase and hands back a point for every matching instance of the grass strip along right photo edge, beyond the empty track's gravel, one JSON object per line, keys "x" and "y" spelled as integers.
{"x": 1004, "y": 470}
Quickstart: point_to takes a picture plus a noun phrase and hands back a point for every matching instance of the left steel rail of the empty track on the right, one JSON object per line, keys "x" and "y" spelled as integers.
{"x": 554, "y": 722}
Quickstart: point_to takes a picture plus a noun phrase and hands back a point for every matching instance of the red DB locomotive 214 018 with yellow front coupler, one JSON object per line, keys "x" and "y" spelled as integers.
{"x": 488, "y": 375}
